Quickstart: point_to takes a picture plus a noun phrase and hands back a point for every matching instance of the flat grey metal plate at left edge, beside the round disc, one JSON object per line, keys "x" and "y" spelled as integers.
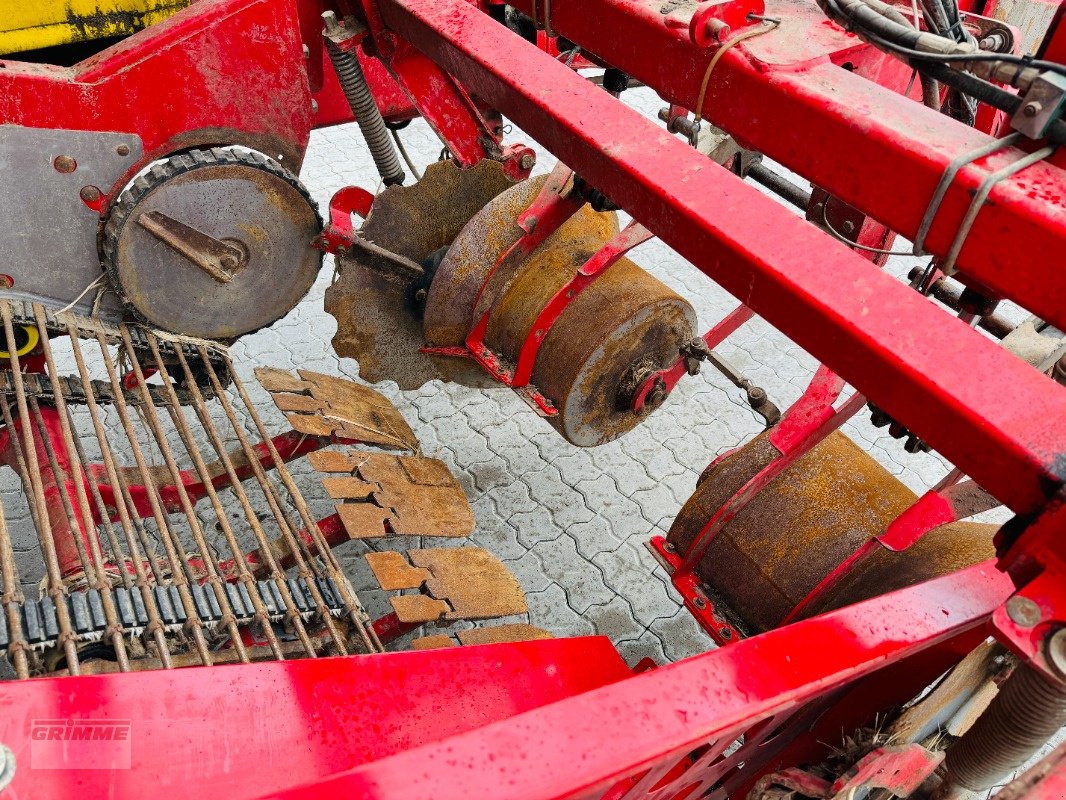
{"x": 47, "y": 233}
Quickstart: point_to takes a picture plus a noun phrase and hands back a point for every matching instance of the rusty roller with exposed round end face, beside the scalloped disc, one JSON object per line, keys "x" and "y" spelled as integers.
{"x": 623, "y": 326}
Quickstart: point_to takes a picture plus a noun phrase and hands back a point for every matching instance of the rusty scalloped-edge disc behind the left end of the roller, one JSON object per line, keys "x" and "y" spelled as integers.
{"x": 378, "y": 319}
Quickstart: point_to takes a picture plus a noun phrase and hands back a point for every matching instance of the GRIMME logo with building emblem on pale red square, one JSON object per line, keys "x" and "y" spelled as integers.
{"x": 84, "y": 744}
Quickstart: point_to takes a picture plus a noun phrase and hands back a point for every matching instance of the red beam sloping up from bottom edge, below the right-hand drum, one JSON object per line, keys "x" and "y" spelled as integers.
{"x": 580, "y": 747}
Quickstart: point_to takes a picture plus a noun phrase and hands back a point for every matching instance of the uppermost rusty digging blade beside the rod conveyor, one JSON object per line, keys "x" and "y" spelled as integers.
{"x": 325, "y": 406}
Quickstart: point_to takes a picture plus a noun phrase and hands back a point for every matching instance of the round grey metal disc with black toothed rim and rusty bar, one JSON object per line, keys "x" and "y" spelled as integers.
{"x": 193, "y": 207}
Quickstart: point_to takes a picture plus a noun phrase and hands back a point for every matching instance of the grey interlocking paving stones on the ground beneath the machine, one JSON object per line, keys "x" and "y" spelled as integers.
{"x": 572, "y": 524}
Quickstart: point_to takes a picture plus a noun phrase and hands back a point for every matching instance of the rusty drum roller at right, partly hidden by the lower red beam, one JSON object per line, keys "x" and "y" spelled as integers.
{"x": 795, "y": 533}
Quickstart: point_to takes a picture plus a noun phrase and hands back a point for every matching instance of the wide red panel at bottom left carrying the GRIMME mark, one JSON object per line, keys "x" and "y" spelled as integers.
{"x": 236, "y": 732}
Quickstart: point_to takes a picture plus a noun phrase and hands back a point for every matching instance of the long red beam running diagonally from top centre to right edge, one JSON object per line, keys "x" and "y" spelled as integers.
{"x": 986, "y": 410}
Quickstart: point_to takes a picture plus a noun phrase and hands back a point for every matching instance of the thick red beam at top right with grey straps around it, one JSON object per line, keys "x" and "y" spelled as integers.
{"x": 884, "y": 154}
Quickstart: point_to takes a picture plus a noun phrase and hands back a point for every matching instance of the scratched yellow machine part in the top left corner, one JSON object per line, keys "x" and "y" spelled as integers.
{"x": 29, "y": 26}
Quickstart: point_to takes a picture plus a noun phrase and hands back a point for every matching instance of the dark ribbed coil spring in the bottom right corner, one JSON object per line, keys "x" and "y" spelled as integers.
{"x": 1026, "y": 713}
